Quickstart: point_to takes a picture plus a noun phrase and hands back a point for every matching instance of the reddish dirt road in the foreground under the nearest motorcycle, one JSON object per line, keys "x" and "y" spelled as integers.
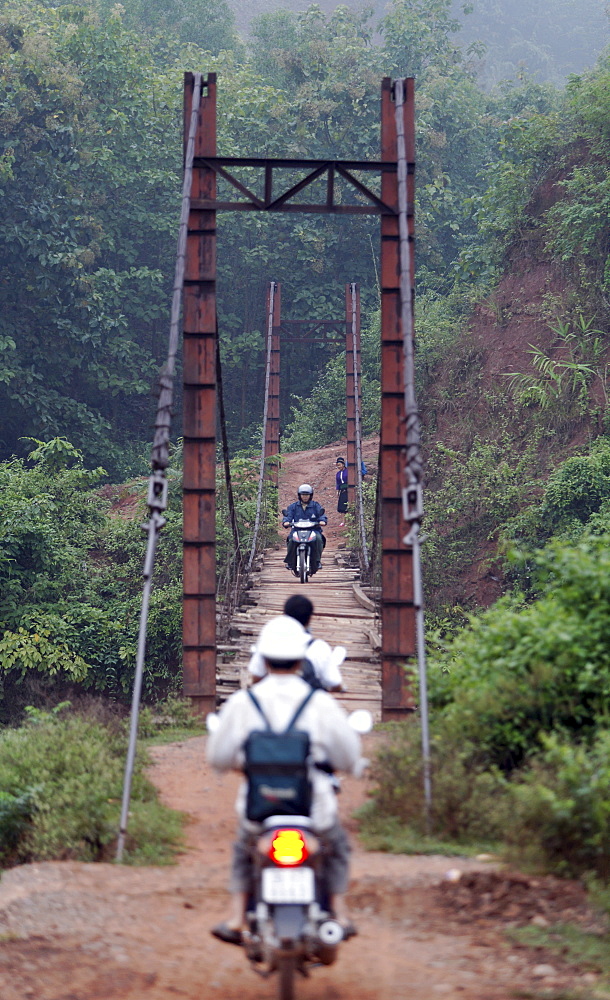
{"x": 102, "y": 932}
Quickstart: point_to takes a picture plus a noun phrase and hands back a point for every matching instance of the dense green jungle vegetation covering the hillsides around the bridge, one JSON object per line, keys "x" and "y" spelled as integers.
{"x": 510, "y": 170}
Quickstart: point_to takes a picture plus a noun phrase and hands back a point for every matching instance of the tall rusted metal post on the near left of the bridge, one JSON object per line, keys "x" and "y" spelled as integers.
{"x": 199, "y": 482}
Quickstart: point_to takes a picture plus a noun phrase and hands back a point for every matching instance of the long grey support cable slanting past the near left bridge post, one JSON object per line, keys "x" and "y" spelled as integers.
{"x": 157, "y": 483}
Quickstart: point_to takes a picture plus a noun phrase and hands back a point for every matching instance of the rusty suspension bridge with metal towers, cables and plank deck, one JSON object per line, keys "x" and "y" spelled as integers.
{"x": 214, "y": 184}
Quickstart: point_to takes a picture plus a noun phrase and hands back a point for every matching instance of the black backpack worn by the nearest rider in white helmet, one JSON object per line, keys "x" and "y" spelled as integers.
{"x": 276, "y": 767}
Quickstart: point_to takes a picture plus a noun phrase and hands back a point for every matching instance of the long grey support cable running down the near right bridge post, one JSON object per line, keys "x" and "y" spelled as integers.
{"x": 412, "y": 500}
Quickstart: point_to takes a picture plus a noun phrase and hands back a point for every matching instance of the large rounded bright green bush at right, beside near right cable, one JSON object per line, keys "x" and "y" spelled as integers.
{"x": 520, "y": 671}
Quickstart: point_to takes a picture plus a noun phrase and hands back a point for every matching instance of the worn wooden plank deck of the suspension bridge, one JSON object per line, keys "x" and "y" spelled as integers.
{"x": 338, "y": 618}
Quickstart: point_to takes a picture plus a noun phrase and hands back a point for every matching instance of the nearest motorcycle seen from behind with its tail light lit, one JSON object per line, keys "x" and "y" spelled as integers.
{"x": 291, "y": 928}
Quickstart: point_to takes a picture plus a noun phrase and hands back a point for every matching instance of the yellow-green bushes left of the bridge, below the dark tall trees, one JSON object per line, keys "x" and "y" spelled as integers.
{"x": 71, "y": 575}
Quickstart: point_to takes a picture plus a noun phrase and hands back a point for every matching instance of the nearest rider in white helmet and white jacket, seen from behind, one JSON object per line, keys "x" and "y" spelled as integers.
{"x": 282, "y": 644}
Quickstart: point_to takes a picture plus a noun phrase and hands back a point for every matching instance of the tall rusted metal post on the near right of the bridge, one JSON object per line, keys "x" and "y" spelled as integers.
{"x": 397, "y": 604}
